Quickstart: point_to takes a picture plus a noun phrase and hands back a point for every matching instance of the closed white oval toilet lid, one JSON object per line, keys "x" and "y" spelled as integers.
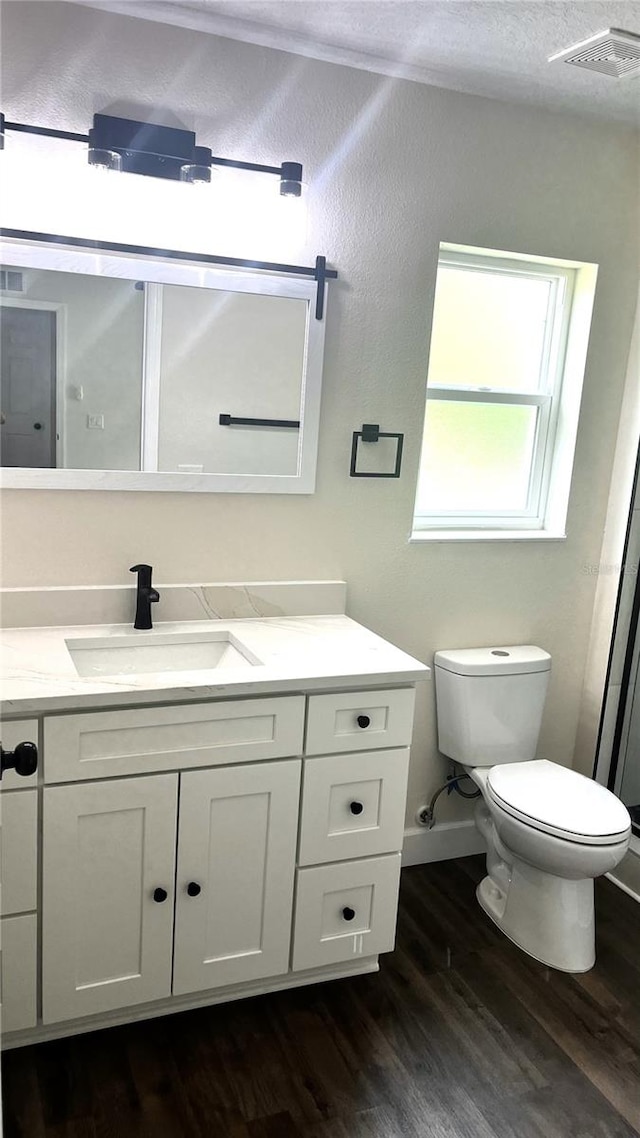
{"x": 560, "y": 802}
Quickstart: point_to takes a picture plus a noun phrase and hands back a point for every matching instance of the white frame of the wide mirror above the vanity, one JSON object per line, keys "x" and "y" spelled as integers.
{"x": 153, "y": 268}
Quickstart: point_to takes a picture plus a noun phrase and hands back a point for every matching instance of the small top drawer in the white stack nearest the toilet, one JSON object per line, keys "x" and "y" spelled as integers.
{"x": 355, "y": 721}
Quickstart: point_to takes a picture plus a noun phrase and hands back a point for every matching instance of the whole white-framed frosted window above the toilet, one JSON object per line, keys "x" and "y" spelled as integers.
{"x": 506, "y": 366}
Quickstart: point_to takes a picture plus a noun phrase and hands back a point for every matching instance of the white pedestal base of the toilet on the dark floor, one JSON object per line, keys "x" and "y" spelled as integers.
{"x": 552, "y": 919}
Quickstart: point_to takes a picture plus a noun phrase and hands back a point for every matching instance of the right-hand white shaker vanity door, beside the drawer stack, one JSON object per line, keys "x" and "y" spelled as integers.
{"x": 235, "y": 881}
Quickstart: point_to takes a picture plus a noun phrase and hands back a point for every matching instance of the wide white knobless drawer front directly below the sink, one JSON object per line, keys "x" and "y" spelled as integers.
{"x": 103, "y": 745}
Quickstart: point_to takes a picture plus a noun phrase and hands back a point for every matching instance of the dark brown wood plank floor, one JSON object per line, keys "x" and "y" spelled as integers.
{"x": 461, "y": 1036}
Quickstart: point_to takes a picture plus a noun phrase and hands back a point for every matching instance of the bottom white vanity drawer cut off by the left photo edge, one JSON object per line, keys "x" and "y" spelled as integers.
{"x": 19, "y": 972}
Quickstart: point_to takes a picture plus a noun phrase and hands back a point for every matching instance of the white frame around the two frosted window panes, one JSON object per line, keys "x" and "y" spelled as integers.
{"x": 547, "y": 400}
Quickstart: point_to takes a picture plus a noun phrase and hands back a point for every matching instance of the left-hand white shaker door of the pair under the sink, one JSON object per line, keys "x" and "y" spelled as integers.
{"x": 109, "y": 871}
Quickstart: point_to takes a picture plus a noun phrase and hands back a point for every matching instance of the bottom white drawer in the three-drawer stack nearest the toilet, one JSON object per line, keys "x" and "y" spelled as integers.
{"x": 346, "y": 911}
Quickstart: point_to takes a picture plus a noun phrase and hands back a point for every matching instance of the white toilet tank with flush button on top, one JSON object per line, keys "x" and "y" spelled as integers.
{"x": 490, "y": 703}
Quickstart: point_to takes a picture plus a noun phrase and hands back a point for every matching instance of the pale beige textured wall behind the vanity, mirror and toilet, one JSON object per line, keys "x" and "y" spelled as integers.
{"x": 397, "y": 168}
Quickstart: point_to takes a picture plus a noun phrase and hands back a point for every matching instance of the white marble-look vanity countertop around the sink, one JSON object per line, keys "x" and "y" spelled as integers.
{"x": 296, "y": 654}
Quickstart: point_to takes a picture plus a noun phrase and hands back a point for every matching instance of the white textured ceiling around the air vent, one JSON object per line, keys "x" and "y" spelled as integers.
{"x": 497, "y": 48}
